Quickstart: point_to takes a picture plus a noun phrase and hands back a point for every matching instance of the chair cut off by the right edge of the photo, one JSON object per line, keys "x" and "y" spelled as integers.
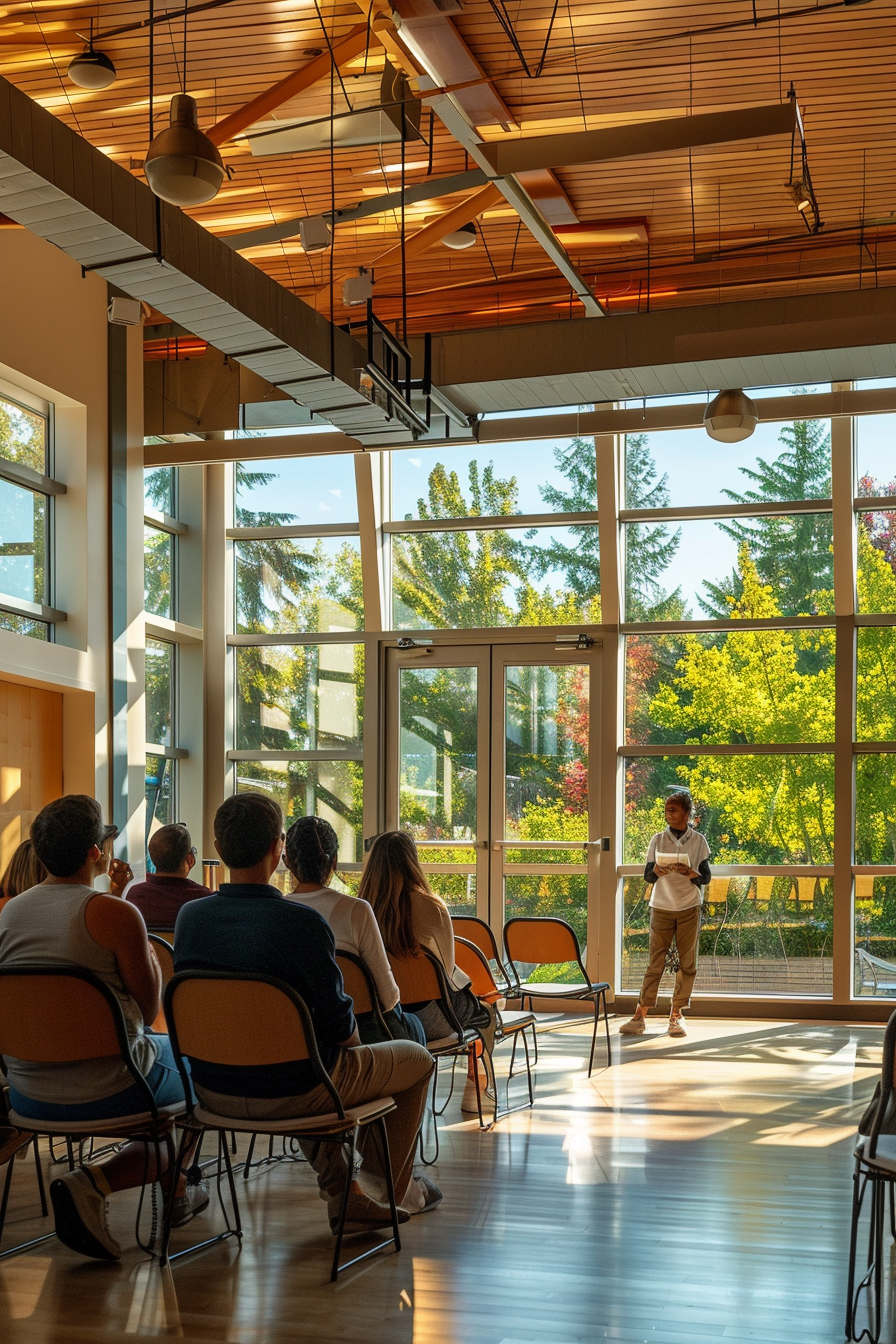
{"x": 877, "y": 1167}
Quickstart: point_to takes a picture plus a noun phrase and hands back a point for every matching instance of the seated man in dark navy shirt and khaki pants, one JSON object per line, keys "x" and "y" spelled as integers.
{"x": 249, "y": 927}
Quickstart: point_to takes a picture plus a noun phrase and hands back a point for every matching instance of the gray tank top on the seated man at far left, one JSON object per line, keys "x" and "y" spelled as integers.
{"x": 48, "y": 925}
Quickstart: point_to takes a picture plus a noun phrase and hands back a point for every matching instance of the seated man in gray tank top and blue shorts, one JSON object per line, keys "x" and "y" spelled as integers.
{"x": 64, "y": 921}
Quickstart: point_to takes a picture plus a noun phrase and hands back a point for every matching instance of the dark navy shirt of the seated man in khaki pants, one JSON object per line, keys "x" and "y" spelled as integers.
{"x": 255, "y": 929}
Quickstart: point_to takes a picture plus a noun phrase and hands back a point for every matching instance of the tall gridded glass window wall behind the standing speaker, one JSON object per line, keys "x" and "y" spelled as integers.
{"x": 735, "y": 678}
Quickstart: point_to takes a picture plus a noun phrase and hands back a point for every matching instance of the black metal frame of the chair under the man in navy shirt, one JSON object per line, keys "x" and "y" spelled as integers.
{"x": 345, "y": 1132}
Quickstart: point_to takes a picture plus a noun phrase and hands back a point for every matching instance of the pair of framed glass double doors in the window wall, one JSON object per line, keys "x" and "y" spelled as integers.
{"x": 490, "y": 755}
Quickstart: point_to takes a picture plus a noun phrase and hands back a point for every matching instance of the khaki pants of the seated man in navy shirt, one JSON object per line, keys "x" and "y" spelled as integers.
{"x": 397, "y": 1069}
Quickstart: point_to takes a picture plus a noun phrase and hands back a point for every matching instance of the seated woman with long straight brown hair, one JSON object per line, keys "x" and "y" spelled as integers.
{"x": 412, "y": 917}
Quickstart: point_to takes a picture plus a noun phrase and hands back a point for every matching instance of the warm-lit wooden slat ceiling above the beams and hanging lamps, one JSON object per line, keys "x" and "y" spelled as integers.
{"x": 721, "y": 222}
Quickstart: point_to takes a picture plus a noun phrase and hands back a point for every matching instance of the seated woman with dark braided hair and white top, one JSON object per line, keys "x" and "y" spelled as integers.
{"x": 311, "y": 855}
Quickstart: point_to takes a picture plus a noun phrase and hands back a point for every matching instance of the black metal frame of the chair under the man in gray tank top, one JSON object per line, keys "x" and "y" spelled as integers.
{"x": 150, "y": 1127}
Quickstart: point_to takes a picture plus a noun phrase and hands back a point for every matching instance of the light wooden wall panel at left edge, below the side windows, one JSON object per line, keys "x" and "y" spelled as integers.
{"x": 30, "y": 760}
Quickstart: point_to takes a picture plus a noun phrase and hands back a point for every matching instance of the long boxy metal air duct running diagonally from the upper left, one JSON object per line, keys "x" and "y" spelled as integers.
{"x": 64, "y": 190}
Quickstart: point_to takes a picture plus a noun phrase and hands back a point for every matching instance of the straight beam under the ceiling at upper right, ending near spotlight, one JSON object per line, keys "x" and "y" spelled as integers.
{"x": 643, "y": 138}
